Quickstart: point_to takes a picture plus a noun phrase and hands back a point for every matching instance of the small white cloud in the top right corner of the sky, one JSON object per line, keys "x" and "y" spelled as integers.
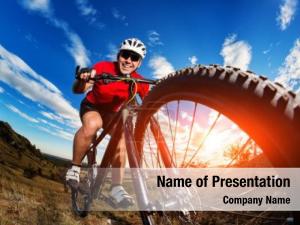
{"x": 287, "y": 12}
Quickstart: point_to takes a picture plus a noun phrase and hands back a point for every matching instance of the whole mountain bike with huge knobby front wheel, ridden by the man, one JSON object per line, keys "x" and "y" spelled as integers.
{"x": 265, "y": 110}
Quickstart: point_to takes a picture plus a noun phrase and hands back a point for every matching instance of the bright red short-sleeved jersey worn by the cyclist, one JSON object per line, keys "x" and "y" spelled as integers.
{"x": 113, "y": 94}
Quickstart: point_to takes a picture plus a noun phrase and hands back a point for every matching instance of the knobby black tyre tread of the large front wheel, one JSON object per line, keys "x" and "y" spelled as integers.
{"x": 248, "y": 88}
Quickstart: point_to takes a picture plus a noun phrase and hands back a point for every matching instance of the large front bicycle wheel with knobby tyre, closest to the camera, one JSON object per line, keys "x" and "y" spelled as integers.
{"x": 265, "y": 111}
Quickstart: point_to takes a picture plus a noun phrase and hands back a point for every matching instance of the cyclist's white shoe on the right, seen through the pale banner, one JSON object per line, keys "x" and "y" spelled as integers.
{"x": 120, "y": 197}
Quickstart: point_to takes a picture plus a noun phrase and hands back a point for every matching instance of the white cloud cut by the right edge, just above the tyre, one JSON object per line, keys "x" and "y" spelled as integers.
{"x": 289, "y": 72}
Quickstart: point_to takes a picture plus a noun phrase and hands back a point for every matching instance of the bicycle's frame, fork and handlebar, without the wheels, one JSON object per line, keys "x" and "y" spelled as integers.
{"x": 123, "y": 121}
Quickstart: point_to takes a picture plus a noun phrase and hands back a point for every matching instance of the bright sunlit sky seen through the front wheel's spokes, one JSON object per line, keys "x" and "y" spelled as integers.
{"x": 203, "y": 141}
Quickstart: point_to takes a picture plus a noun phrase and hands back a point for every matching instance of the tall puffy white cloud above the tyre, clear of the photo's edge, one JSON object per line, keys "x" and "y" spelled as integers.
{"x": 236, "y": 53}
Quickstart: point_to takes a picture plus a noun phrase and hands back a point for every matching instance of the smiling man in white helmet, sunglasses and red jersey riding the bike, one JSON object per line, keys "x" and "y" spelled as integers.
{"x": 98, "y": 107}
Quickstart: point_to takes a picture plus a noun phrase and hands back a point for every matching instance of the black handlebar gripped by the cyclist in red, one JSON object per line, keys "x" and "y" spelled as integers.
{"x": 109, "y": 77}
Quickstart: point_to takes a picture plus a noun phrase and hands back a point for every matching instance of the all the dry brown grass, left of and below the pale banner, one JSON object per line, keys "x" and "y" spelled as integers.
{"x": 44, "y": 202}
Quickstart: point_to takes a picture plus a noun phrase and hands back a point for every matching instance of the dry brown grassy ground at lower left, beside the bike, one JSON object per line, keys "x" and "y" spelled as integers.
{"x": 42, "y": 201}
